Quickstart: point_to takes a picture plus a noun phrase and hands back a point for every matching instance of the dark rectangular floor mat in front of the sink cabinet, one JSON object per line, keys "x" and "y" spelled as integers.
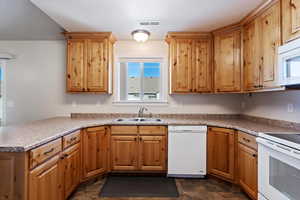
{"x": 139, "y": 186}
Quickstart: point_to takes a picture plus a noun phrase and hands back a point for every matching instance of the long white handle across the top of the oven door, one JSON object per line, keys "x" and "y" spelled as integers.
{"x": 278, "y": 147}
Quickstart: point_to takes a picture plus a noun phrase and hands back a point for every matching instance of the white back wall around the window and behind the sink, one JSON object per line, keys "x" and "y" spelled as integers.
{"x": 36, "y": 84}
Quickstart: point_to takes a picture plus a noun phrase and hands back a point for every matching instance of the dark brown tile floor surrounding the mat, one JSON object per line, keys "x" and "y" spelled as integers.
{"x": 189, "y": 189}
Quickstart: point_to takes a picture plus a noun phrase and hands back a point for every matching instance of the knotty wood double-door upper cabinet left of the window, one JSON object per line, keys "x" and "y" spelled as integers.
{"x": 89, "y": 62}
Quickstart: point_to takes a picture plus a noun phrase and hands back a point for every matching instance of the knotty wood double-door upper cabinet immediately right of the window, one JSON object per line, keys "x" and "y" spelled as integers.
{"x": 190, "y": 62}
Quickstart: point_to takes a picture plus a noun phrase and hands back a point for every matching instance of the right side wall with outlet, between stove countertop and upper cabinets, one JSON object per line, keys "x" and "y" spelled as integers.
{"x": 273, "y": 105}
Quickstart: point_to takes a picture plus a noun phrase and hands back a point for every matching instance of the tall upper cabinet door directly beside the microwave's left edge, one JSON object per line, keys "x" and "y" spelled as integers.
{"x": 270, "y": 41}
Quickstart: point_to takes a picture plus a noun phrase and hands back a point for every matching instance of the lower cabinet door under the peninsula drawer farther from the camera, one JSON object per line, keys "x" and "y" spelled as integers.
{"x": 72, "y": 169}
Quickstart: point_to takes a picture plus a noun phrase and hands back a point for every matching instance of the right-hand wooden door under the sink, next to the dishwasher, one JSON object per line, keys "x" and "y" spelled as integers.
{"x": 152, "y": 153}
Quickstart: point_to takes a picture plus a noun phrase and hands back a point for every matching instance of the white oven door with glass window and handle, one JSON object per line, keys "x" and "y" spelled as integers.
{"x": 278, "y": 171}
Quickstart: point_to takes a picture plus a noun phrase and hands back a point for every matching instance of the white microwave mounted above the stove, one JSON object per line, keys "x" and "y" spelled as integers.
{"x": 289, "y": 63}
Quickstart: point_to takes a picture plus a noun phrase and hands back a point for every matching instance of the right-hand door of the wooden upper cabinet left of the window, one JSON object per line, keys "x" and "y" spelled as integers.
{"x": 97, "y": 67}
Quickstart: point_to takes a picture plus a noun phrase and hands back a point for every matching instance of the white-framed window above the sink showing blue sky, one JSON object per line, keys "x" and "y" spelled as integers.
{"x": 140, "y": 80}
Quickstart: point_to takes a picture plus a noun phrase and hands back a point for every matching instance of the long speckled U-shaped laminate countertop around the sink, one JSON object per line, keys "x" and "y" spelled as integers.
{"x": 23, "y": 137}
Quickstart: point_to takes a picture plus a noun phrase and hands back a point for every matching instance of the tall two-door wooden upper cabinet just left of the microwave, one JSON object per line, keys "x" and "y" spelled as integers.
{"x": 261, "y": 39}
